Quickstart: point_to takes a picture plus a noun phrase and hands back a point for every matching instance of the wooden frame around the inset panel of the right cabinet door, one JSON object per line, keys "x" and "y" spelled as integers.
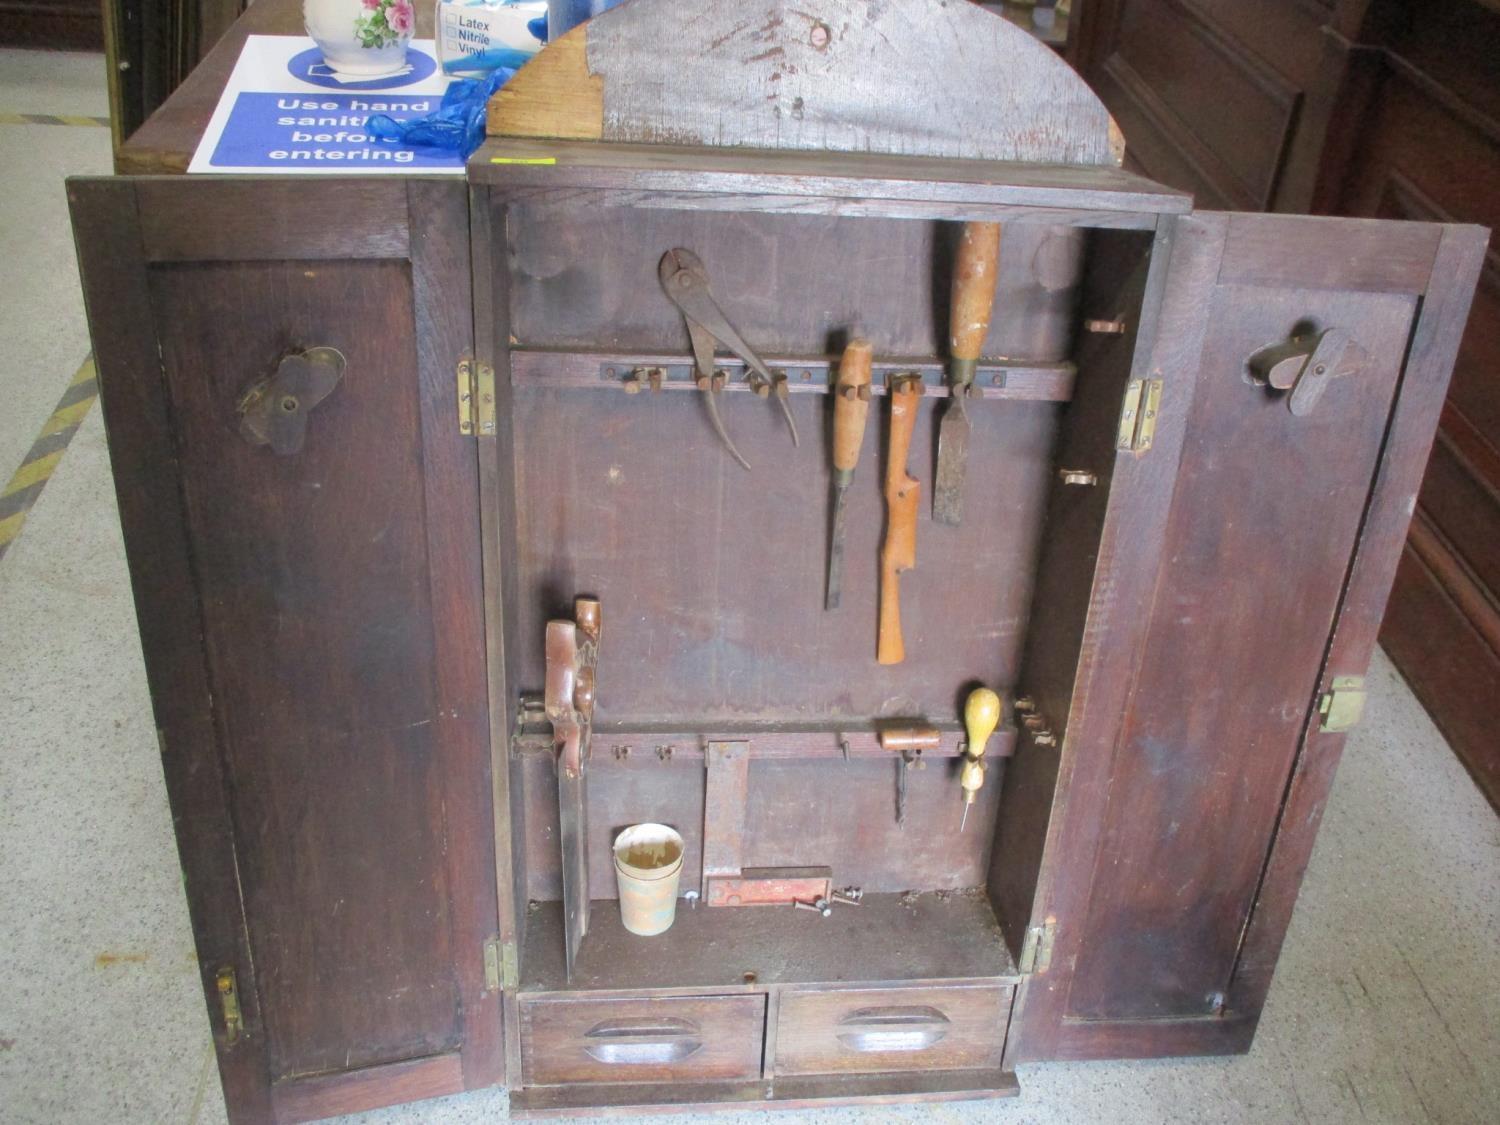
{"x": 1445, "y": 281}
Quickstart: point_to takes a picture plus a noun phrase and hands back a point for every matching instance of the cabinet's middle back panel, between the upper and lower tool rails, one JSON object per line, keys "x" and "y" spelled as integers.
{"x": 712, "y": 578}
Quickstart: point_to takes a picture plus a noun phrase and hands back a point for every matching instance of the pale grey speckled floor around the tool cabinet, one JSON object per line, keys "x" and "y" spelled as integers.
{"x": 1385, "y": 1009}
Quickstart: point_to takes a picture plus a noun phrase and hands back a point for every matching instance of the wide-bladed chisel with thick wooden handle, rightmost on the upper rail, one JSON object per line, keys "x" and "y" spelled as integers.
{"x": 974, "y": 277}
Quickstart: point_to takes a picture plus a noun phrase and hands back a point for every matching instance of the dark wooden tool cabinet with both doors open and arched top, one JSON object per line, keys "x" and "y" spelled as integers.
{"x": 1177, "y": 574}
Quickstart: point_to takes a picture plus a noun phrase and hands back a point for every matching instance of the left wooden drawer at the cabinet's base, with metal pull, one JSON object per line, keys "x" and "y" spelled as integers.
{"x": 700, "y": 1039}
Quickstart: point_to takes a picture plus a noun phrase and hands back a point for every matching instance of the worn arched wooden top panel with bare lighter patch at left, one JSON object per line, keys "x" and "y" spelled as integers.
{"x": 899, "y": 77}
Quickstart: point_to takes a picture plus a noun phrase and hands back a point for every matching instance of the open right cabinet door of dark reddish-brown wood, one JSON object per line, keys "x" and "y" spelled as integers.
{"x": 1237, "y": 593}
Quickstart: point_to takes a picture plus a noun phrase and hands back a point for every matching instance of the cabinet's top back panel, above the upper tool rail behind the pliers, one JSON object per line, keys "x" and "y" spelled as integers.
{"x": 791, "y": 284}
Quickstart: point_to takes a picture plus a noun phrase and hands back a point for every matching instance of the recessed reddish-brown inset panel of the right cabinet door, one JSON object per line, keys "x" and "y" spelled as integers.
{"x": 1223, "y": 745}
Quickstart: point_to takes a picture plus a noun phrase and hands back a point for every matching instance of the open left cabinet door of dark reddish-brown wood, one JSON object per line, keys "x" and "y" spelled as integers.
{"x": 278, "y": 368}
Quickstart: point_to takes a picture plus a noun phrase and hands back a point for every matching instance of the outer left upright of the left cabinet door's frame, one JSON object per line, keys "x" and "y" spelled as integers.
{"x": 170, "y": 613}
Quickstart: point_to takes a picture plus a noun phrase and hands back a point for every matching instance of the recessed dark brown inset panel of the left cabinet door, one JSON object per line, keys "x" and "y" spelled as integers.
{"x": 320, "y": 641}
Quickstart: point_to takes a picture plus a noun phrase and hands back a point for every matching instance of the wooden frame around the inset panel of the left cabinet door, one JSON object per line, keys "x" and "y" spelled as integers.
{"x": 424, "y": 223}
